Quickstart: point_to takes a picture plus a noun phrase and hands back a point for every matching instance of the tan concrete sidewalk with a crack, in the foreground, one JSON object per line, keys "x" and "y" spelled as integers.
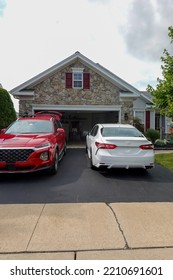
{"x": 86, "y": 231}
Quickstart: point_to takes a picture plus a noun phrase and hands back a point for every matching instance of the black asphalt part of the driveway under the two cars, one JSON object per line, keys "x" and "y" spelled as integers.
{"x": 76, "y": 182}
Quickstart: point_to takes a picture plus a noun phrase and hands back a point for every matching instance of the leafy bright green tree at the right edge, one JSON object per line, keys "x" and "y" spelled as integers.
{"x": 163, "y": 94}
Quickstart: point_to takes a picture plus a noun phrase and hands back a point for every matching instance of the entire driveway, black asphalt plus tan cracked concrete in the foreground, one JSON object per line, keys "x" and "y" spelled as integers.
{"x": 32, "y": 208}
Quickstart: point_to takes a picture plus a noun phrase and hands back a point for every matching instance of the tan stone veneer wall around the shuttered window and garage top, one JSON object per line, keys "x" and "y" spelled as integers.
{"x": 52, "y": 91}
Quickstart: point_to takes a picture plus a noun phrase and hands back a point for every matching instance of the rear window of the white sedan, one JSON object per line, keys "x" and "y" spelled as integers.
{"x": 120, "y": 132}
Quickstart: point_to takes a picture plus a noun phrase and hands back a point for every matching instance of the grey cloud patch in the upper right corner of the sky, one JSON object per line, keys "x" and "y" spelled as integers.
{"x": 146, "y": 29}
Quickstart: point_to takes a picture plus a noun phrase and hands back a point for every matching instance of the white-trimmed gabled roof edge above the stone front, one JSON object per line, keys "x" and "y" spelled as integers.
{"x": 120, "y": 83}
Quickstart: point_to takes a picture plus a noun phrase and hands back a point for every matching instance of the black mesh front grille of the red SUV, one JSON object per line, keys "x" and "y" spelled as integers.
{"x": 13, "y": 155}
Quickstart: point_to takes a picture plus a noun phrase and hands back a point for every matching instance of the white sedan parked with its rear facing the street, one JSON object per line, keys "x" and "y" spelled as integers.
{"x": 119, "y": 146}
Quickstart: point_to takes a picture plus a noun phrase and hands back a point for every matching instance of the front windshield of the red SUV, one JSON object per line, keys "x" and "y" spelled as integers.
{"x": 30, "y": 127}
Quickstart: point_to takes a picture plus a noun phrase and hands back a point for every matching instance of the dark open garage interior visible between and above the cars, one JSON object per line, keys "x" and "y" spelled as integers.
{"x": 78, "y": 124}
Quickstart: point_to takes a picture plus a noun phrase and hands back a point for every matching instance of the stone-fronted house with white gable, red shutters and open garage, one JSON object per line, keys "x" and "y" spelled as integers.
{"x": 86, "y": 93}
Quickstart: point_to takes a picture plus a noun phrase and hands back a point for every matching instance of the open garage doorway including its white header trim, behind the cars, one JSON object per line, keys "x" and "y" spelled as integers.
{"x": 79, "y": 119}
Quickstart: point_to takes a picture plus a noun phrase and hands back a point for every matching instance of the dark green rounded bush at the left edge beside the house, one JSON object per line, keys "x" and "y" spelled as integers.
{"x": 7, "y": 111}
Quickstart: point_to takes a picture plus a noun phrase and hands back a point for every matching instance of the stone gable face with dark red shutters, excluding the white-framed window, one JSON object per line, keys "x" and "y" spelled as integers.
{"x": 58, "y": 89}
